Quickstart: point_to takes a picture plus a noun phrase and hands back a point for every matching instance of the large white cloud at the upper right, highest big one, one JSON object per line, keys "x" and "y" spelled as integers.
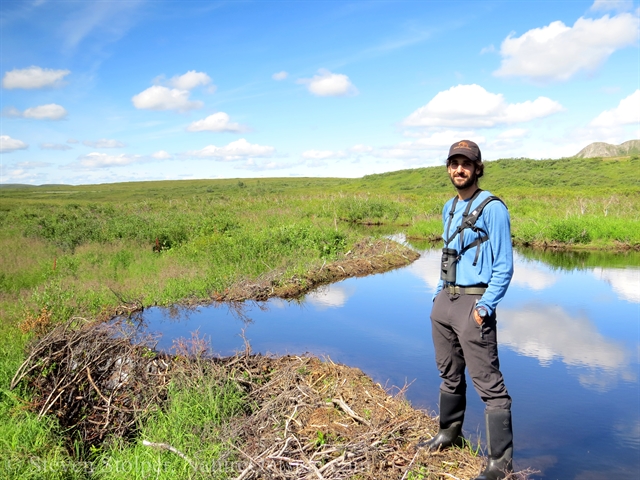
{"x": 558, "y": 52}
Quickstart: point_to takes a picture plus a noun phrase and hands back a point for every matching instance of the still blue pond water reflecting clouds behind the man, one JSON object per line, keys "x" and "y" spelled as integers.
{"x": 569, "y": 335}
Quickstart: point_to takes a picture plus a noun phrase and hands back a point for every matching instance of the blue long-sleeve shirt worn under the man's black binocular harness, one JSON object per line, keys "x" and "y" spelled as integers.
{"x": 495, "y": 261}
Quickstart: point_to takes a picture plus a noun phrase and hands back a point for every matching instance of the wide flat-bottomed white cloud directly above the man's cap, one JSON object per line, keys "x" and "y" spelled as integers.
{"x": 473, "y": 106}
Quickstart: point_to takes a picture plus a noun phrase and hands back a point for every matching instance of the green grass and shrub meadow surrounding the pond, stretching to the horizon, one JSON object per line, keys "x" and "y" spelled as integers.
{"x": 84, "y": 250}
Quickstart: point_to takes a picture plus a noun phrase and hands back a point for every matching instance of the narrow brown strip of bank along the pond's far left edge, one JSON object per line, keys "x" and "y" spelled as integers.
{"x": 365, "y": 258}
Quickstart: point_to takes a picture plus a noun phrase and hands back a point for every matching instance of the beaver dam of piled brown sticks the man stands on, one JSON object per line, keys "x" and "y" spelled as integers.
{"x": 294, "y": 417}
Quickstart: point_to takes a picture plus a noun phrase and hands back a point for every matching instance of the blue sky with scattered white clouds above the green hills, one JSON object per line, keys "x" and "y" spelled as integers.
{"x": 136, "y": 90}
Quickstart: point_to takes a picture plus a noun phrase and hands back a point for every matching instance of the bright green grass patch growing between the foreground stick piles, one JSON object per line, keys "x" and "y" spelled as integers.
{"x": 191, "y": 423}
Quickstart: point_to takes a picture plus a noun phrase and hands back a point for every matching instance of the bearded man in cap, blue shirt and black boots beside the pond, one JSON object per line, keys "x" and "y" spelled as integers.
{"x": 477, "y": 267}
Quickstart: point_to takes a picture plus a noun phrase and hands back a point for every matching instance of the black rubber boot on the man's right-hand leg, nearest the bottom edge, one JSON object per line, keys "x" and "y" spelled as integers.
{"x": 500, "y": 443}
